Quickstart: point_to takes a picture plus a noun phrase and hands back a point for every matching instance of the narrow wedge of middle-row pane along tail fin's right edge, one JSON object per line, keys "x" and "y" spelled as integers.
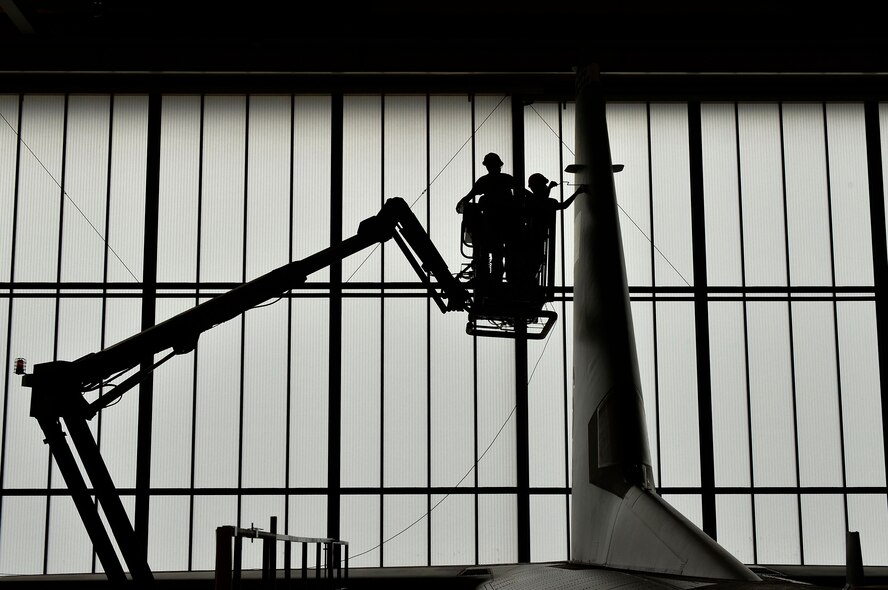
{"x": 643, "y": 322}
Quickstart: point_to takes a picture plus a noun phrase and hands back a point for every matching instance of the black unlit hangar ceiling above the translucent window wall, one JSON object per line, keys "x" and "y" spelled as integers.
{"x": 483, "y": 39}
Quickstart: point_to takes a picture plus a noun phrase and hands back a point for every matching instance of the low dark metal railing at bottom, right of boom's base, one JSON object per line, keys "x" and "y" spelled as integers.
{"x": 330, "y": 567}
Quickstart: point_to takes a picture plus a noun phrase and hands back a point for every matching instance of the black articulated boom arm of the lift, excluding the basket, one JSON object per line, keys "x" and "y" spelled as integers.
{"x": 58, "y": 387}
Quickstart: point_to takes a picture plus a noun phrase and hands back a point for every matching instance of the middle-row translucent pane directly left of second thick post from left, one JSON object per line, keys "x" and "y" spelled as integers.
{"x": 309, "y": 392}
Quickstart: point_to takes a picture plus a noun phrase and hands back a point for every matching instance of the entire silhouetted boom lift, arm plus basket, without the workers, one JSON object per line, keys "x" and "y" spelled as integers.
{"x": 58, "y": 387}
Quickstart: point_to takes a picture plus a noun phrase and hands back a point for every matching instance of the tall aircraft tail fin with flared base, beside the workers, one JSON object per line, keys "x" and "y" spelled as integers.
{"x": 618, "y": 520}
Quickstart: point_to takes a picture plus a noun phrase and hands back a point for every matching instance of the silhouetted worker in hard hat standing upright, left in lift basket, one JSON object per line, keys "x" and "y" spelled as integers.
{"x": 491, "y": 230}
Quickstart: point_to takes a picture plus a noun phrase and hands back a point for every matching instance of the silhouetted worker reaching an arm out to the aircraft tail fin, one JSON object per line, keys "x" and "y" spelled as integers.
{"x": 537, "y": 221}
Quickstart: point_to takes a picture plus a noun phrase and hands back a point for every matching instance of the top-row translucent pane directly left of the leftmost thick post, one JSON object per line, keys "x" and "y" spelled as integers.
{"x": 126, "y": 214}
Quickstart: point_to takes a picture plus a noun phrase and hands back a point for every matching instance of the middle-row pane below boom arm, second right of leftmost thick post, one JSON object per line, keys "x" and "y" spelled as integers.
{"x": 217, "y": 407}
